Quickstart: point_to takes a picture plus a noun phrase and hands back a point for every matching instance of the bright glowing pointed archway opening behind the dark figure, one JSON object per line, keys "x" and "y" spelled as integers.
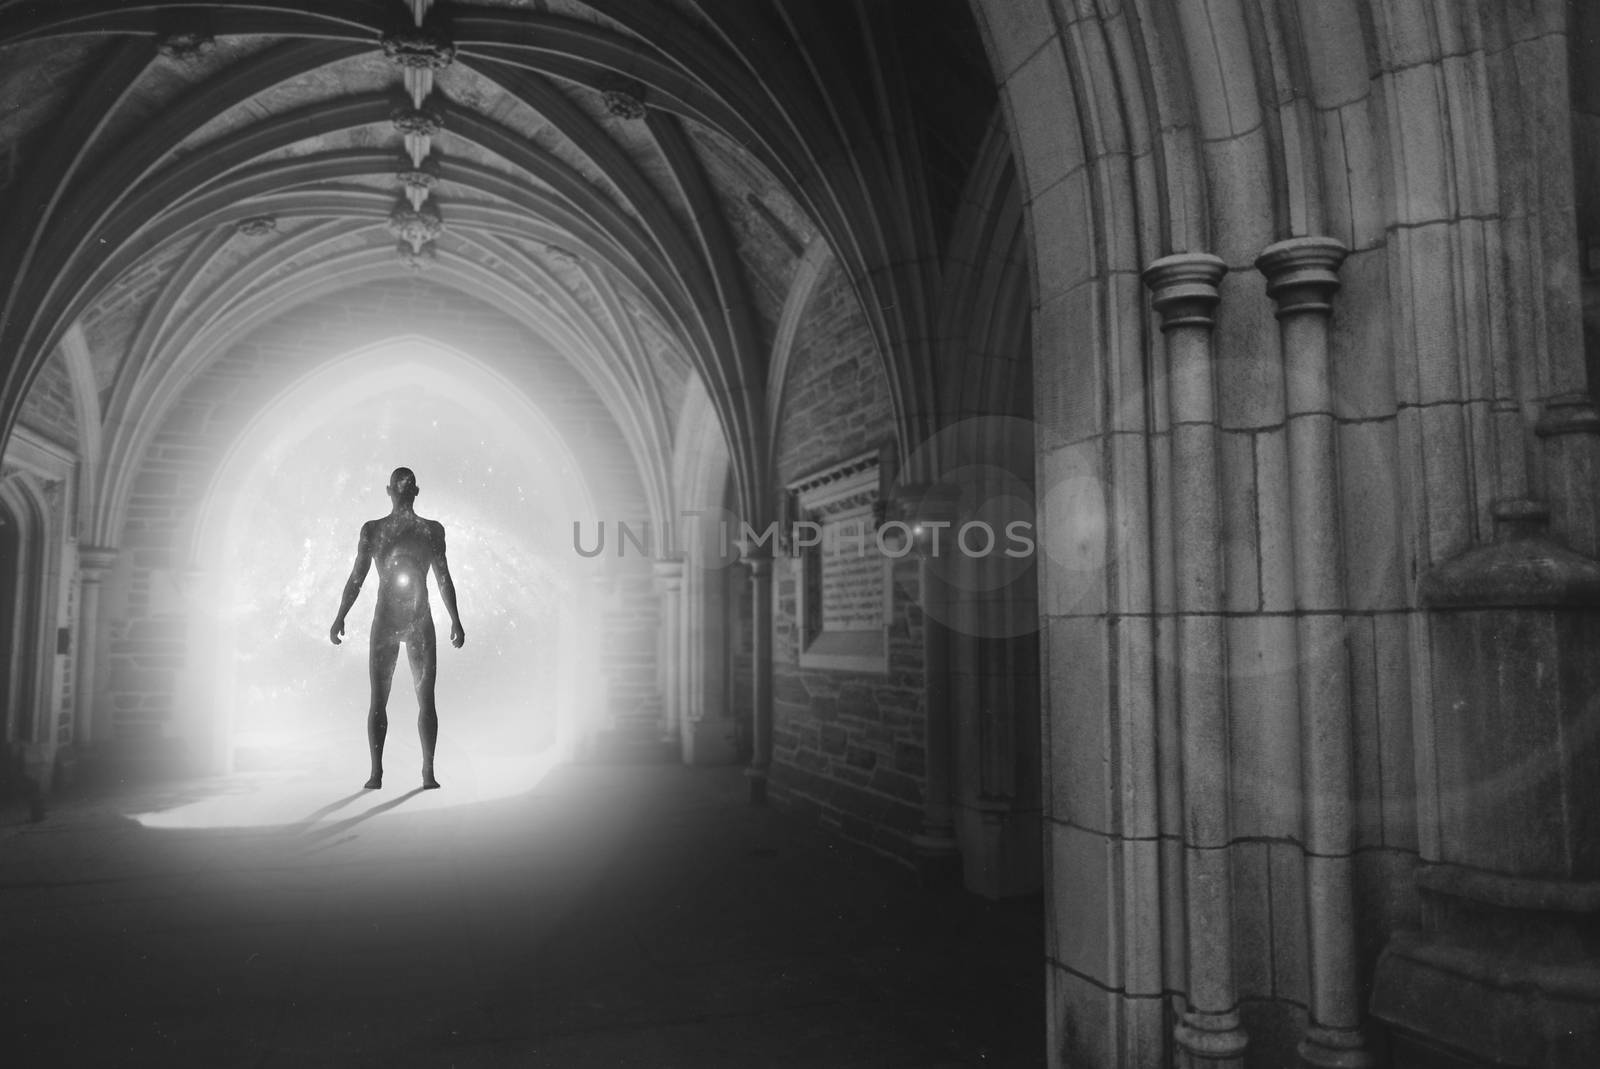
{"x": 274, "y": 699}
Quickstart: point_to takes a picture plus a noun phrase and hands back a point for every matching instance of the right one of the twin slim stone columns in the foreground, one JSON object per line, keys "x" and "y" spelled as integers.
{"x": 1302, "y": 279}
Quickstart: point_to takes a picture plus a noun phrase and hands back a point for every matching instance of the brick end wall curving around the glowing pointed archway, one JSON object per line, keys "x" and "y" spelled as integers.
{"x": 146, "y": 633}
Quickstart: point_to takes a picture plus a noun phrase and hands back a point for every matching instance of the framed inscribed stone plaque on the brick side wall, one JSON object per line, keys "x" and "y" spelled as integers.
{"x": 844, "y": 591}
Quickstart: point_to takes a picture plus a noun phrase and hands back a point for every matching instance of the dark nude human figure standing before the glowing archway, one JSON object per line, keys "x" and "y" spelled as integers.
{"x": 406, "y": 547}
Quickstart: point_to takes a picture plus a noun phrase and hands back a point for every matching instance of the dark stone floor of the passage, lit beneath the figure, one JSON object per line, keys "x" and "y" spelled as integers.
{"x": 615, "y": 916}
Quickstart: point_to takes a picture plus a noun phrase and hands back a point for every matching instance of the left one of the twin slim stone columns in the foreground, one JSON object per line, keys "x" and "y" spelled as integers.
{"x": 1185, "y": 294}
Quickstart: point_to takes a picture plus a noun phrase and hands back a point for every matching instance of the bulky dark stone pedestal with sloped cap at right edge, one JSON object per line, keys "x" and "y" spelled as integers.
{"x": 1503, "y": 971}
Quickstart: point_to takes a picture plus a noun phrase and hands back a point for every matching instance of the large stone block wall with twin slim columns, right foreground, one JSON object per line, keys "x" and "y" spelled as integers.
{"x": 1250, "y": 868}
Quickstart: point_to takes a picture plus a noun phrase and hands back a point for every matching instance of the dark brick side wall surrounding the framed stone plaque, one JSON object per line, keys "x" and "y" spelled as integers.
{"x": 847, "y": 747}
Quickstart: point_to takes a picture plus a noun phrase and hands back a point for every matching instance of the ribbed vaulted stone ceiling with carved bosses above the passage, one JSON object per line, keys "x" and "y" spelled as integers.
{"x": 636, "y": 182}
